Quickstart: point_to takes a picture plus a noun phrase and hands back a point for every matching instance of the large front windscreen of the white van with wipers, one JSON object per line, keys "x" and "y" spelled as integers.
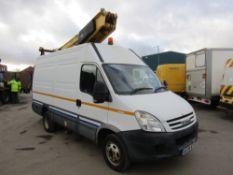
{"x": 132, "y": 79}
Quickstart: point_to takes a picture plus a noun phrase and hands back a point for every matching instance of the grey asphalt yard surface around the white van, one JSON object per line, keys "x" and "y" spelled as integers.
{"x": 26, "y": 149}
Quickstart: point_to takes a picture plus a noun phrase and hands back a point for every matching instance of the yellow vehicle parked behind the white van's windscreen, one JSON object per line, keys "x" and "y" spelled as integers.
{"x": 173, "y": 76}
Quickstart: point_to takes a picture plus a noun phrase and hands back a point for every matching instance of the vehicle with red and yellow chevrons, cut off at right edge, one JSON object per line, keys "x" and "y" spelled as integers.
{"x": 226, "y": 90}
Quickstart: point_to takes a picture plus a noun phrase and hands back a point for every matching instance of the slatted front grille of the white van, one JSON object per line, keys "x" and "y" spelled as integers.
{"x": 181, "y": 122}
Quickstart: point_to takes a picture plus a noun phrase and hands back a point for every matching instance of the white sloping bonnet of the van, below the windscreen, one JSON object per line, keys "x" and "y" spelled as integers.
{"x": 156, "y": 104}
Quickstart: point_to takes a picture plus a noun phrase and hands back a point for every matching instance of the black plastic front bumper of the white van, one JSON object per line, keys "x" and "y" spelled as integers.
{"x": 142, "y": 145}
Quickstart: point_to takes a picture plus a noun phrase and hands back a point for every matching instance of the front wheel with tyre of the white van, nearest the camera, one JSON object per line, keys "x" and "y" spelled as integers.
{"x": 115, "y": 153}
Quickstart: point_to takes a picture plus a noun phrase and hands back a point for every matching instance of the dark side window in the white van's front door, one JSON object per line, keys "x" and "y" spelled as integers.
{"x": 89, "y": 75}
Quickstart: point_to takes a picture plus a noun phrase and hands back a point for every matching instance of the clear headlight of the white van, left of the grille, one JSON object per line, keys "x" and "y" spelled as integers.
{"x": 149, "y": 122}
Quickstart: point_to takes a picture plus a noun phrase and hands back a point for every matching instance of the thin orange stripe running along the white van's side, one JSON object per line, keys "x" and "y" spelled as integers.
{"x": 86, "y": 103}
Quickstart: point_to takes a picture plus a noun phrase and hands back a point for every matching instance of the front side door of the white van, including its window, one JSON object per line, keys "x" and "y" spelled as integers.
{"x": 91, "y": 115}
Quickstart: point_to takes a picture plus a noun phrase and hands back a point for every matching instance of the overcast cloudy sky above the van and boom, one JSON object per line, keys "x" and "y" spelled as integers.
{"x": 179, "y": 25}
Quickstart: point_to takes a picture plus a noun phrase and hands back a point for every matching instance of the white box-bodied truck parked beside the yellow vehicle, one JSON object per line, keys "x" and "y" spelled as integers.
{"x": 204, "y": 71}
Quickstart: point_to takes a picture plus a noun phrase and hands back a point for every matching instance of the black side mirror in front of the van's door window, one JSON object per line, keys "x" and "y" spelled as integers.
{"x": 100, "y": 93}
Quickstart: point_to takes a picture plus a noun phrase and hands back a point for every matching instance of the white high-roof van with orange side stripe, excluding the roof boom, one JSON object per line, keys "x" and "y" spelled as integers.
{"x": 107, "y": 94}
